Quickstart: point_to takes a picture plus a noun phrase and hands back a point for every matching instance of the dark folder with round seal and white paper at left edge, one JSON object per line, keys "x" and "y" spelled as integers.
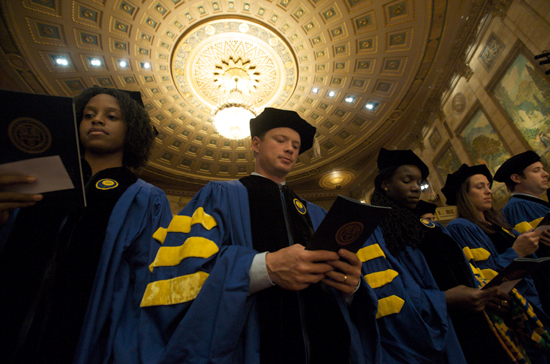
{"x": 40, "y": 138}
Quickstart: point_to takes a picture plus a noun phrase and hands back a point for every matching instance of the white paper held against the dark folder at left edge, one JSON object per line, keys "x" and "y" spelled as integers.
{"x": 50, "y": 175}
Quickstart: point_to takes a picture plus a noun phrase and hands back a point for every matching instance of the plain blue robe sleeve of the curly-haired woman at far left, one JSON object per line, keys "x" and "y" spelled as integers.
{"x": 110, "y": 329}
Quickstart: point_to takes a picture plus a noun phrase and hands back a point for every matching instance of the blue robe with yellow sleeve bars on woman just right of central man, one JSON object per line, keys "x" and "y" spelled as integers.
{"x": 414, "y": 324}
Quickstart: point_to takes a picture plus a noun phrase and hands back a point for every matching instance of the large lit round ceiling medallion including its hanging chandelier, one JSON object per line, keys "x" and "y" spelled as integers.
{"x": 233, "y": 67}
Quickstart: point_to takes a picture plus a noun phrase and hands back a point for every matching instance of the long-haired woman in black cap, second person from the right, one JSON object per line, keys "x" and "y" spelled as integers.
{"x": 486, "y": 238}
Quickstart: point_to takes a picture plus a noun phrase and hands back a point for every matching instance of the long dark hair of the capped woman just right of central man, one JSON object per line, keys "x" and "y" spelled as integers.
{"x": 400, "y": 226}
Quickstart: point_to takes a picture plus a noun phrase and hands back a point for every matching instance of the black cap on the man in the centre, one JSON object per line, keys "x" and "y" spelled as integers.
{"x": 272, "y": 118}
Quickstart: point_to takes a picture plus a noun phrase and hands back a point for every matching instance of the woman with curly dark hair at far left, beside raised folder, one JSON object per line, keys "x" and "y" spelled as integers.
{"x": 86, "y": 309}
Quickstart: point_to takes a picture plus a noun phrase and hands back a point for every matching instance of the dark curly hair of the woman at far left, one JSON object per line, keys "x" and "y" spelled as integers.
{"x": 140, "y": 133}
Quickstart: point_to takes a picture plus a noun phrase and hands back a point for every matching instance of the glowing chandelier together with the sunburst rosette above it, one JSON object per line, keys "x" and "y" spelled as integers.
{"x": 232, "y": 117}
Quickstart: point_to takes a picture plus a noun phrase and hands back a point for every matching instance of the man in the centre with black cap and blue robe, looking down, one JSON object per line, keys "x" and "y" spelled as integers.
{"x": 233, "y": 283}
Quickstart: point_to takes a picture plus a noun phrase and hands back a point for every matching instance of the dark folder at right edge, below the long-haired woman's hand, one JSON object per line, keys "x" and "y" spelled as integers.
{"x": 515, "y": 272}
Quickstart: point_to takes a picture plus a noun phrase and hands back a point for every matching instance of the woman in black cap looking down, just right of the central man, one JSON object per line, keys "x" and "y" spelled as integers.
{"x": 422, "y": 279}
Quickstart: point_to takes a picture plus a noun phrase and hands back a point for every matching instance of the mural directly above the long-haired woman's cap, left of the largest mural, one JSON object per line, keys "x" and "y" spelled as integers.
{"x": 483, "y": 143}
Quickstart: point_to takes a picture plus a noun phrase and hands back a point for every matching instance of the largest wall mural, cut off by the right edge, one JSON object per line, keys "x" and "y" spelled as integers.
{"x": 525, "y": 95}
